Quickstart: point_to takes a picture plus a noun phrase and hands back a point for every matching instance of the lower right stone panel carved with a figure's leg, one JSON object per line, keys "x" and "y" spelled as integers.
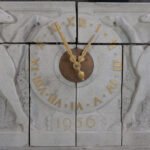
{"x": 136, "y": 125}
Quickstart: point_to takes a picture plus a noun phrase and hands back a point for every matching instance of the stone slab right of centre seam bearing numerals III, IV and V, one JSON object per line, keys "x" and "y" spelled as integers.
{"x": 99, "y": 99}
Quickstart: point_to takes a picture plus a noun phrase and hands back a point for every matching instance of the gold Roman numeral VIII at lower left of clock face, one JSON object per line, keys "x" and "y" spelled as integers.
{"x": 39, "y": 83}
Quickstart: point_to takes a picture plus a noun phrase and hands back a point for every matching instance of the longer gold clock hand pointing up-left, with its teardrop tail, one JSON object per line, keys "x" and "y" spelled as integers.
{"x": 76, "y": 64}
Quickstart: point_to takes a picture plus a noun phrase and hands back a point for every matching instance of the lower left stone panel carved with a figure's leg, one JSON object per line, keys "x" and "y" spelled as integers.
{"x": 14, "y": 95}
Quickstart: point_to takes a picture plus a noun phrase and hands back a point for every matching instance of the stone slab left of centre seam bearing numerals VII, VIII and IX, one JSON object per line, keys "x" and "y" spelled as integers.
{"x": 52, "y": 97}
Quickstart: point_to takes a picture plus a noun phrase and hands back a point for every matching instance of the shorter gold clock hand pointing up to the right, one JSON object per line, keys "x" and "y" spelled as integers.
{"x": 81, "y": 58}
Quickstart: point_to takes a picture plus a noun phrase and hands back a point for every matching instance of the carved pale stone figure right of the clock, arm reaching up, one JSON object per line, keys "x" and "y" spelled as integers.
{"x": 139, "y": 61}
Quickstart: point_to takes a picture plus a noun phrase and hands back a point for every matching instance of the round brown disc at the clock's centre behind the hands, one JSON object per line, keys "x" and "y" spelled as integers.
{"x": 67, "y": 70}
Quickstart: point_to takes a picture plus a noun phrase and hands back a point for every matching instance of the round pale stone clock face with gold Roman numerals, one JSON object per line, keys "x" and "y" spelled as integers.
{"x": 50, "y": 85}
